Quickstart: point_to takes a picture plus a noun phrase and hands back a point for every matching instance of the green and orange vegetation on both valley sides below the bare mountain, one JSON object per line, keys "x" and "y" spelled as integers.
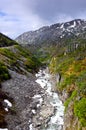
{"x": 66, "y": 57}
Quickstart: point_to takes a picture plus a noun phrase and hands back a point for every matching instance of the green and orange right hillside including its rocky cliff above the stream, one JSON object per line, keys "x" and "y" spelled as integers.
{"x": 69, "y": 64}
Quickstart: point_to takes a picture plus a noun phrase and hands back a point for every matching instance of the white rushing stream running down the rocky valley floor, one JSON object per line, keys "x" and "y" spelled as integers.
{"x": 56, "y": 120}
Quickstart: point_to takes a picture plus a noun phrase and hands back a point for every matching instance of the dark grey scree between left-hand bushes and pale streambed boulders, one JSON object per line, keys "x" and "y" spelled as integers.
{"x": 22, "y": 89}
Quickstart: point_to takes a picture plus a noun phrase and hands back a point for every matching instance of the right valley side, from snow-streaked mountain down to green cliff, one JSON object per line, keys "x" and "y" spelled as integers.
{"x": 62, "y": 47}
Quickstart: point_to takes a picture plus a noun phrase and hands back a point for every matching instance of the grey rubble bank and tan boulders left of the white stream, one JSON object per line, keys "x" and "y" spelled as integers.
{"x": 30, "y": 104}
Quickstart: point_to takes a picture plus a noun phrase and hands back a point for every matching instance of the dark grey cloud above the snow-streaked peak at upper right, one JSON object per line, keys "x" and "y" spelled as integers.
{"x": 47, "y": 9}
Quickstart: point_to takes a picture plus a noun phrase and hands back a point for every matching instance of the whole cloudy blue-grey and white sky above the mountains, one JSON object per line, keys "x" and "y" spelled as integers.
{"x": 18, "y": 16}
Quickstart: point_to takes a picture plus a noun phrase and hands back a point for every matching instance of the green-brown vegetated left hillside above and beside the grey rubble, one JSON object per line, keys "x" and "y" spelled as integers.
{"x": 15, "y": 58}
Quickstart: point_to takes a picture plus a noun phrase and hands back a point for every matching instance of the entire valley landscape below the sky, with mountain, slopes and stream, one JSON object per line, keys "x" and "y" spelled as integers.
{"x": 38, "y": 94}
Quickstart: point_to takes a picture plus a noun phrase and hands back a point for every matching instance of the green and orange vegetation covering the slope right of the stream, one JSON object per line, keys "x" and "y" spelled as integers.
{"x": 72, "y": 67}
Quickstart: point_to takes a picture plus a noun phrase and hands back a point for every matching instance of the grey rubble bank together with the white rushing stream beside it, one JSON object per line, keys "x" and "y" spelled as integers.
{"x": 35, "y": 103}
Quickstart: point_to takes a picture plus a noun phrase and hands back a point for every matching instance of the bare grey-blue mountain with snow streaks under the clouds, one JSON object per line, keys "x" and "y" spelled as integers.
{"x": 54, "y": 33}
